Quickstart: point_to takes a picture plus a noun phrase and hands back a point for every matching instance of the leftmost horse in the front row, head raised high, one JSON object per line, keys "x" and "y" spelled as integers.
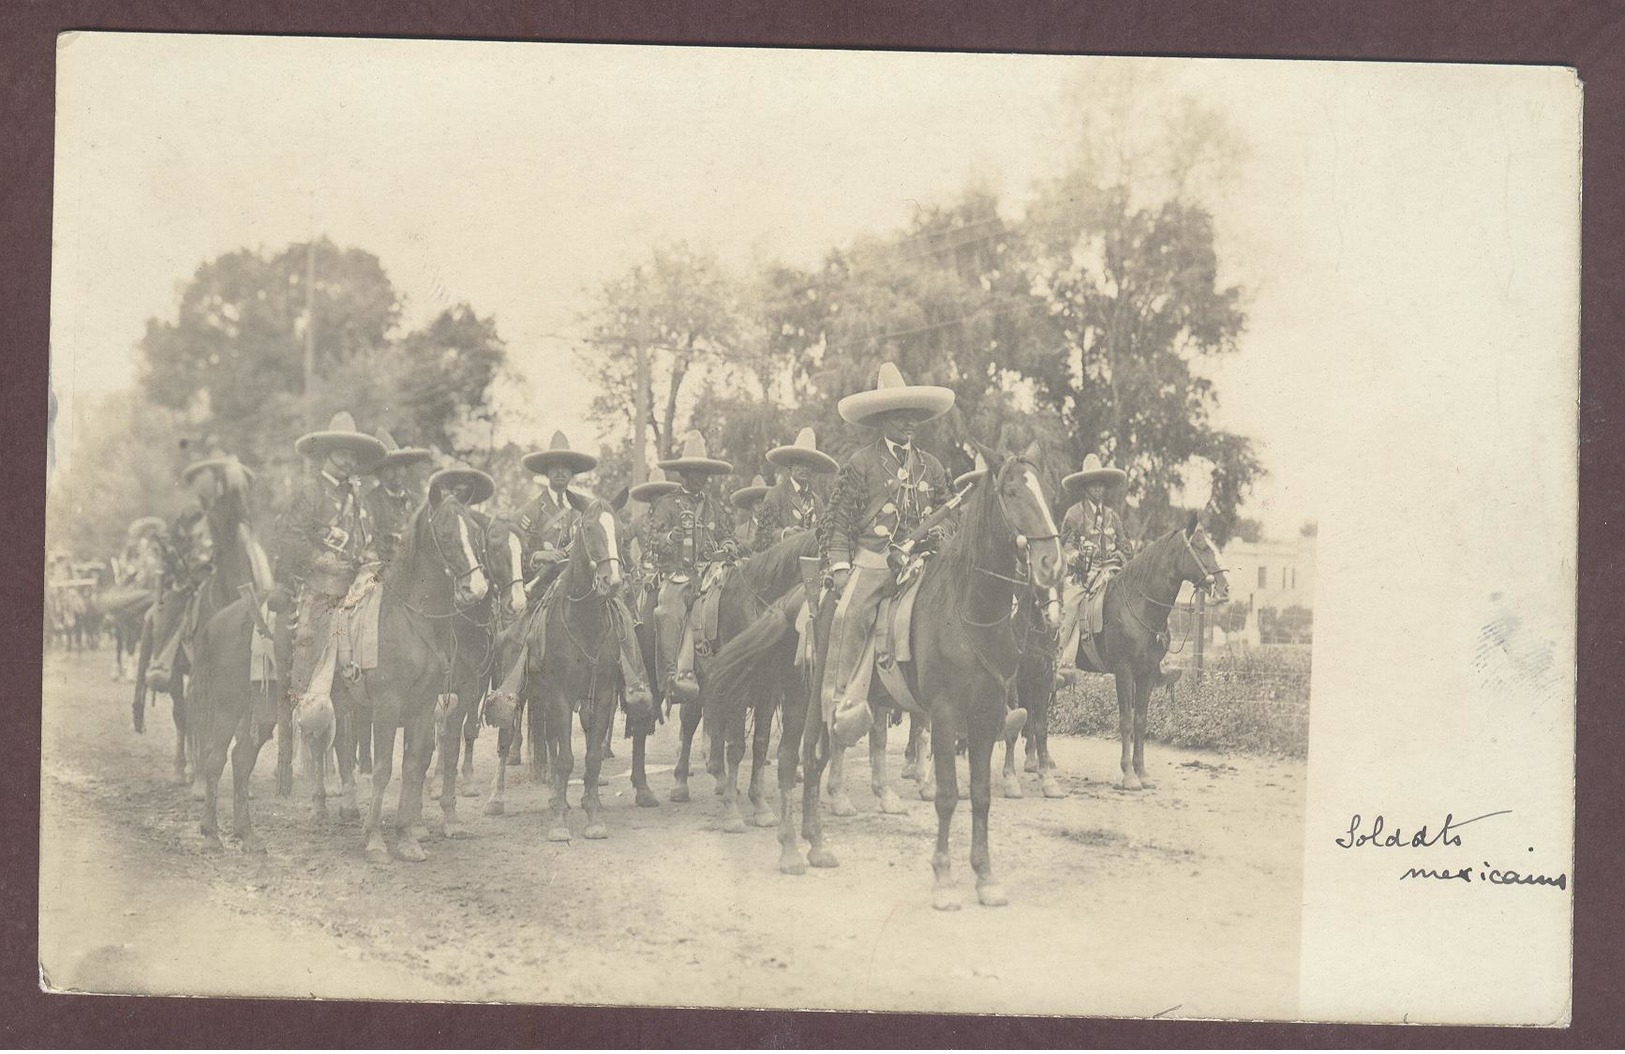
{"x": 223, "y": 542}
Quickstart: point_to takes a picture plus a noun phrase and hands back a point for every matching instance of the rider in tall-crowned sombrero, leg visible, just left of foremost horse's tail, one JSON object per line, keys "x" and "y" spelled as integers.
{"x": 687, "y": 533}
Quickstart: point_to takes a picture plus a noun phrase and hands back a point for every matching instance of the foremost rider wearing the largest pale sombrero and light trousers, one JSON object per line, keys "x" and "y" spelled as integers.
{"x": 882, "y": 493}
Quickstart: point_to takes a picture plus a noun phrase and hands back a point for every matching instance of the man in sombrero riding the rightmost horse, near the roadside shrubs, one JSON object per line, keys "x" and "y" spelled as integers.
{"x": 1094, "y": 546}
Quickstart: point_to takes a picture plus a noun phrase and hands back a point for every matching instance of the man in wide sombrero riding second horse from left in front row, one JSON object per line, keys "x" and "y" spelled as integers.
{"x": 323, "y": 540}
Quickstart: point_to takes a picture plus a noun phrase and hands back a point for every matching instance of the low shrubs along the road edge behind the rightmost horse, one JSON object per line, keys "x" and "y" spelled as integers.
{"x": 1255, "y": 702}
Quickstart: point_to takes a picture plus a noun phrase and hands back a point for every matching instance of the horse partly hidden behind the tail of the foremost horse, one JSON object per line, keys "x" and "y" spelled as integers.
{"x": 747, "y": 592}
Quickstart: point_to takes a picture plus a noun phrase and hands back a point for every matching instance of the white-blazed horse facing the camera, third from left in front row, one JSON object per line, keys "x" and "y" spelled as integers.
{"x": 578, "y": 665}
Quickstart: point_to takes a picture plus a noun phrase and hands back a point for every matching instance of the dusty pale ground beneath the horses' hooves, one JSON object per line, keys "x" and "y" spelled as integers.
{"x": 1181, "y": 902}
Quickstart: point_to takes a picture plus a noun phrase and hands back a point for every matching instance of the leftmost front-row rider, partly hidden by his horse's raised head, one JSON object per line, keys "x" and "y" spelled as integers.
{"x": 186, "y": 561}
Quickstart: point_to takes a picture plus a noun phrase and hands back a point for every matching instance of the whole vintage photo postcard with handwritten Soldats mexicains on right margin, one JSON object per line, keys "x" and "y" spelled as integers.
{"x": 953, "y": 533}
